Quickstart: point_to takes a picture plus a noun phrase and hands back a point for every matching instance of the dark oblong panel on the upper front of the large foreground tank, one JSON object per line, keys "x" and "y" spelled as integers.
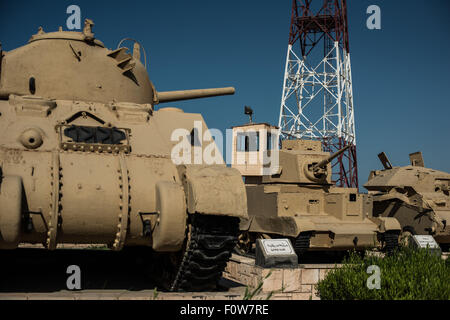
{"x": 84, "y": 134}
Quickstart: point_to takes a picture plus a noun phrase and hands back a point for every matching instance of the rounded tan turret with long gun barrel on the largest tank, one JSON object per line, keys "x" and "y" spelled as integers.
{"x": 75, "y": 66}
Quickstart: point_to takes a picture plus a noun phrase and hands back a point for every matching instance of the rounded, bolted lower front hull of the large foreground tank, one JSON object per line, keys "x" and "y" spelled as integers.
{"x": 91, "y": 195}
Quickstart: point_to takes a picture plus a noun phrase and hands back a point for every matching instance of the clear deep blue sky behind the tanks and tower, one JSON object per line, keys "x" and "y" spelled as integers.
{"x": 401, "y": 79}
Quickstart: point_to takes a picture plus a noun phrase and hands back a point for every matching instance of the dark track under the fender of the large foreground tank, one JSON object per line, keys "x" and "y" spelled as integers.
{"x": 209, "y": 246}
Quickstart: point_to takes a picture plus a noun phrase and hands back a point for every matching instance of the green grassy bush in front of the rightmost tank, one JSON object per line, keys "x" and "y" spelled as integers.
{"x": 407, "y": 274}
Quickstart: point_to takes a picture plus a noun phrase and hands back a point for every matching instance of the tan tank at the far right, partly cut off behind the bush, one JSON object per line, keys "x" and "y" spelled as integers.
{"x": 416, "y": 196}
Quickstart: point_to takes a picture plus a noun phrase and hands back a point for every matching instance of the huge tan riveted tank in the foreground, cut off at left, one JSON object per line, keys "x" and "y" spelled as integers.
{"x": 86, "y": 158}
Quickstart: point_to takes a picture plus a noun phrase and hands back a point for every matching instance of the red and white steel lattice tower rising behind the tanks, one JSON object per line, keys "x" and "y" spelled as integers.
{"x": 317, "y": 99}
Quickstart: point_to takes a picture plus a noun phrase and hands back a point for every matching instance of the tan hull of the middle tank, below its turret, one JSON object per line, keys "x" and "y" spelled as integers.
{"x": 337, "y": 219}
